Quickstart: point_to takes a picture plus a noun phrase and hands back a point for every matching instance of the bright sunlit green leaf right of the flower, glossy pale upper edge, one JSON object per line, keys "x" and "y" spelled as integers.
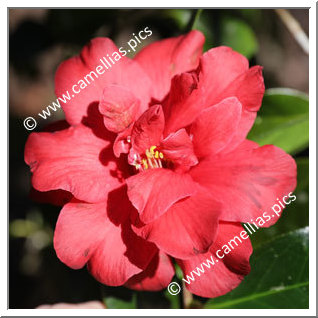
{"x": 283, "y": 120}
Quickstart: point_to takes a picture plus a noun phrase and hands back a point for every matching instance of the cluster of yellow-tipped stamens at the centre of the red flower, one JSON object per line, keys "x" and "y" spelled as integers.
{"x": 152, "y": 159}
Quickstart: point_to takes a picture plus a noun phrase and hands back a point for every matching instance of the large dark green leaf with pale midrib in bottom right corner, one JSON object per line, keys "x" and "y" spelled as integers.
{"x": 279, "y": 276}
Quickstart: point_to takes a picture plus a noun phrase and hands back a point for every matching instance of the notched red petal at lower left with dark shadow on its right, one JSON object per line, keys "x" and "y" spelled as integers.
{"x": 84, "y": 234}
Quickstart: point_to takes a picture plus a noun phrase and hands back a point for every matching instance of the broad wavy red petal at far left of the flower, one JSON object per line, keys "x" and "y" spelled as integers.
{"x": 74, "y": 160}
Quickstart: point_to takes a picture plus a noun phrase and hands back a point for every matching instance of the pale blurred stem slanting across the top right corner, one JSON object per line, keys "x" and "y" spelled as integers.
{"x": 295, "y": 29}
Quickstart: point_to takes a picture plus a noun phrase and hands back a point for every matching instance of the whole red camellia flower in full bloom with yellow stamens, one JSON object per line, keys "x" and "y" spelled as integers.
{"x": 155, "y": 164}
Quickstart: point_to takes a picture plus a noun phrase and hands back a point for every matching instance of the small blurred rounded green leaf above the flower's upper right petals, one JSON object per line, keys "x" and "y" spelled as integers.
{"x": 239, "y": 36}
